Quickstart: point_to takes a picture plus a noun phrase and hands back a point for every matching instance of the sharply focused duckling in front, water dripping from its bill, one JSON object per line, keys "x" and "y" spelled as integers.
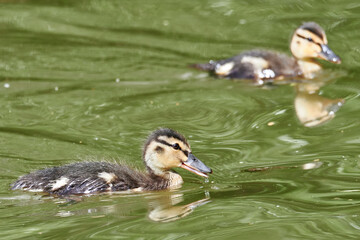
{"x": 164, "y": 149}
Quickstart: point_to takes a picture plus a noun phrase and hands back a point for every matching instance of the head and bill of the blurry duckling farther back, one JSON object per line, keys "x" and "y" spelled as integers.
{"x": 309, "y": 41}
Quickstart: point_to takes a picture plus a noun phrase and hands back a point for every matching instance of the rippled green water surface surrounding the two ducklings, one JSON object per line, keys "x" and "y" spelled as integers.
{"x": 91, "y": 79}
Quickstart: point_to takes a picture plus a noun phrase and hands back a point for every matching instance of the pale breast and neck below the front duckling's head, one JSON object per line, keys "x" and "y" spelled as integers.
{"x": 165, "y": 180}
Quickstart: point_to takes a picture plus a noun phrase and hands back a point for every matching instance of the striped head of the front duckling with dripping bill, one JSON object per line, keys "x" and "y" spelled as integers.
{"x": 166, "y": 149}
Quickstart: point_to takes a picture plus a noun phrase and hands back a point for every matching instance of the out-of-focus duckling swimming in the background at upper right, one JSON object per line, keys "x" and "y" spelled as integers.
{"x": 308, "y": 43}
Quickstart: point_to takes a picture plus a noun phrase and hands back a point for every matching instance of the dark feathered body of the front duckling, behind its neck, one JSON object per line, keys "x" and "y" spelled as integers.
{"x": 81, "y": 178}
